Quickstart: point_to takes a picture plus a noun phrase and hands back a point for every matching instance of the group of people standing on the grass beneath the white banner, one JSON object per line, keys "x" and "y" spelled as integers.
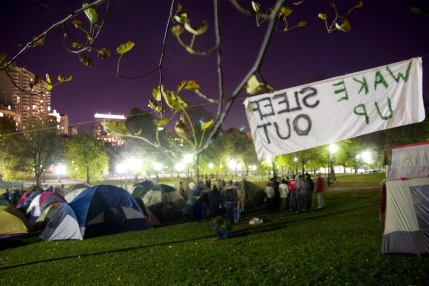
{"x": 294, "y": 194}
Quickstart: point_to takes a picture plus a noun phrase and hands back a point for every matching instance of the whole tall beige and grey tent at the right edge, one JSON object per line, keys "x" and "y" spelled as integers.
{"x": 405, "y": 201}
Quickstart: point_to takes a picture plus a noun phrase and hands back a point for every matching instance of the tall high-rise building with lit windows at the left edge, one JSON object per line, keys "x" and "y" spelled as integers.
{"x": 25, "y": 94}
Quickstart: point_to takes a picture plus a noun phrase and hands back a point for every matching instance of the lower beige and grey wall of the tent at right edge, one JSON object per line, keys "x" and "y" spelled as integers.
{"x": 407, "y": 217}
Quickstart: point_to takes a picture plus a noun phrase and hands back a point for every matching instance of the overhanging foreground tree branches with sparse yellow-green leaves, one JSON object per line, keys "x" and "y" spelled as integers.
{"x": 83, "y": 25}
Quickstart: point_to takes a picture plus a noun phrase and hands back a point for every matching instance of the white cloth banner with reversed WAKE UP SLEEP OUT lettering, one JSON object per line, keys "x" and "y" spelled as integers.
{"x": 336, "y": 109}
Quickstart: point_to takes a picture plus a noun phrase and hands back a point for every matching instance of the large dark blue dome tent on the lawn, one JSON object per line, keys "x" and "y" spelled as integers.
{"x": 106, "y": 209}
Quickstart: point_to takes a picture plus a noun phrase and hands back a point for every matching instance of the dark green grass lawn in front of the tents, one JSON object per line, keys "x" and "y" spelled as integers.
{"x": 338, "y": 245}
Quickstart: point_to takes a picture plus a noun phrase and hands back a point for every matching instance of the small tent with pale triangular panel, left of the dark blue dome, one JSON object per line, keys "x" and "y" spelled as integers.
{"x": 62, "y": 223}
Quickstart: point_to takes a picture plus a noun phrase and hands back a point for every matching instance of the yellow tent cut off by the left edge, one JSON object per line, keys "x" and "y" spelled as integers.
{"x": 12, "y": 221}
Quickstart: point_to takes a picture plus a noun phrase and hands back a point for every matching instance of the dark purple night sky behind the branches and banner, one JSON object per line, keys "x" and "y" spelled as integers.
{"x": 382, "y": 32}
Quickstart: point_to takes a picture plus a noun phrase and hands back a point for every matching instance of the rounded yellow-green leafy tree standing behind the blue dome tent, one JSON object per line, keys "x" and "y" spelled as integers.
{"x": 86, "y": 154}
